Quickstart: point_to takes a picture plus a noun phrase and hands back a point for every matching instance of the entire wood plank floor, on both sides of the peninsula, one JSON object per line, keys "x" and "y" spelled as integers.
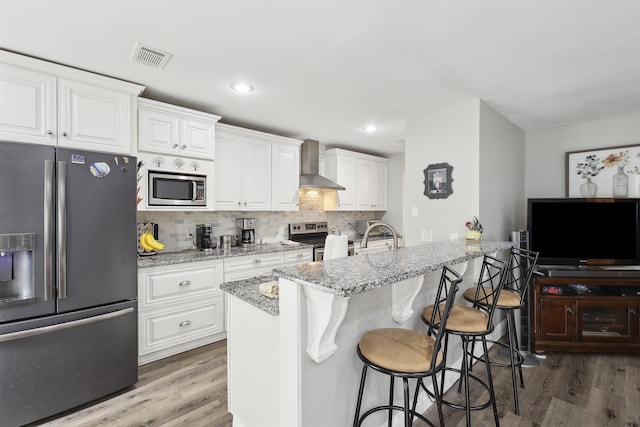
{"x": 566, "y": 389}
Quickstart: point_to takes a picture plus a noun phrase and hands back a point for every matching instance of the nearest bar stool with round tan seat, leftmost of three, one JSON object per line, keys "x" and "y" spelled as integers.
{"x": 405, "y": 353}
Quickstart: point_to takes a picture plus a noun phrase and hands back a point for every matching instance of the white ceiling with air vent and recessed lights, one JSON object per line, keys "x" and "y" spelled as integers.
{"x": 323, "y": 69}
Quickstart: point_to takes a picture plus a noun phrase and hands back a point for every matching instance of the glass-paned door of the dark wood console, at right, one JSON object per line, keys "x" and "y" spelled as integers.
{"x": 607, "y": 321}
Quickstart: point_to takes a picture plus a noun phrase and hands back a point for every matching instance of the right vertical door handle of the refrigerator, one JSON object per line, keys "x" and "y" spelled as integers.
{"x": 61, "y": 228}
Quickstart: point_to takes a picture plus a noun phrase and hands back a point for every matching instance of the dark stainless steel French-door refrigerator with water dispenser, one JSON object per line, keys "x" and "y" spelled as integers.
{"x": 68, "y": 321}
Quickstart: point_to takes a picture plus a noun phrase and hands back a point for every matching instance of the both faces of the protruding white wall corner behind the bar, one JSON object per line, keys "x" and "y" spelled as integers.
{"x": 487, "y": 155}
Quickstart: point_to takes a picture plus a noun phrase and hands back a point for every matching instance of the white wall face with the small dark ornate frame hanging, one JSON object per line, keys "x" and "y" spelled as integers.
{"x": 449, "y": 136}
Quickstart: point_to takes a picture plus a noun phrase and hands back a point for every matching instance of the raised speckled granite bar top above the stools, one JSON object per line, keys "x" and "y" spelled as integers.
{"x": 354, "y": 275}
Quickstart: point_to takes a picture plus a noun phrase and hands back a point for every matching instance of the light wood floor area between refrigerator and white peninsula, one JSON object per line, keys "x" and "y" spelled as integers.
{"x": 189, "y": 389}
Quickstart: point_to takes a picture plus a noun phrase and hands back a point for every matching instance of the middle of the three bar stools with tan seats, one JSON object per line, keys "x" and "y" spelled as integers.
{"x": 470, "y": 324}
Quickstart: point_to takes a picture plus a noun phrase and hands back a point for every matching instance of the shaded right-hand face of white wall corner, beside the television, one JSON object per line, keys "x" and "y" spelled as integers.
{"x": 502, "y": 201}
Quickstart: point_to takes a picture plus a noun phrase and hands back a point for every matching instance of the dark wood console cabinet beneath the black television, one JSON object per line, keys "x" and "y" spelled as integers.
{"x": 586, "y": 314}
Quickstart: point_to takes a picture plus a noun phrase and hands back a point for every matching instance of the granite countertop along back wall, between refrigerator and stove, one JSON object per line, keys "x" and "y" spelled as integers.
{"x": 169, "y": 258}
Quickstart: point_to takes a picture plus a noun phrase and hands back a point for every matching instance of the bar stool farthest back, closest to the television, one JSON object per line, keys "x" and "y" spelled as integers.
{"x": 521, "y": 266}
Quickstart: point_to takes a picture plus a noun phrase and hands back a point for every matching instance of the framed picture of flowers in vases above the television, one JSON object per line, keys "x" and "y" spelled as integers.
{"x": 604, "y": 173}
